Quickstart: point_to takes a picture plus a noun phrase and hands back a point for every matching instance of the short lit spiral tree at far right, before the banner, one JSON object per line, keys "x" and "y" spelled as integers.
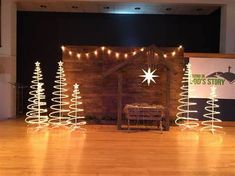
{"x": 211, "y": 124}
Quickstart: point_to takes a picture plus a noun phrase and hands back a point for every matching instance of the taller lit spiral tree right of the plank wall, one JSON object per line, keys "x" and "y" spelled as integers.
{"x": 184, "y": 118}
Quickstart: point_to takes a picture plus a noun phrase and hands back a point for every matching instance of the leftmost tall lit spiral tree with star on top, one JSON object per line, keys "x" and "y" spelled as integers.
{"x": 36, "y": 107}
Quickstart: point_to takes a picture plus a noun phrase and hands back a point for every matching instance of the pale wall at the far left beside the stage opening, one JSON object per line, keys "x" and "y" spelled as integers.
{"x": 8, "y": 59}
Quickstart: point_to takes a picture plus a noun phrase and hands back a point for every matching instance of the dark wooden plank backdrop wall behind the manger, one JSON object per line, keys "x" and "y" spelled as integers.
{"x": 99, "y": 94}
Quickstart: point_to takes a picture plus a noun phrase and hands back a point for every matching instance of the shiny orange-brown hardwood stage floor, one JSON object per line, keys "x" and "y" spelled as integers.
{"x": 104, "y": 151}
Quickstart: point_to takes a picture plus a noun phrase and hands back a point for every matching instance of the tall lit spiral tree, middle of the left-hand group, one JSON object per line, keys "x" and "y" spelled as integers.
{"x": 59, "y": 115}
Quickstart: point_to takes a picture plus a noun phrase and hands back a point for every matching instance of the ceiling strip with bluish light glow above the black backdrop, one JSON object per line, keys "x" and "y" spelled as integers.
{"x": 118, "y": 7}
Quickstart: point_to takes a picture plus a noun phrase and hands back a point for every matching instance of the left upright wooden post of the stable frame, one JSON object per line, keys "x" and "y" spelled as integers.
{"x": 119, "y": 103}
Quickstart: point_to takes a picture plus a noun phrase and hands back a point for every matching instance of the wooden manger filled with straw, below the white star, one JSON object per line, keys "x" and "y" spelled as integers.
{"x": 144, "y": 112}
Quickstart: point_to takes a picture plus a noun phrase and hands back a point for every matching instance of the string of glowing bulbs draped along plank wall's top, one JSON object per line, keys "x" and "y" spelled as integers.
{"x": 116, "y": 54}
